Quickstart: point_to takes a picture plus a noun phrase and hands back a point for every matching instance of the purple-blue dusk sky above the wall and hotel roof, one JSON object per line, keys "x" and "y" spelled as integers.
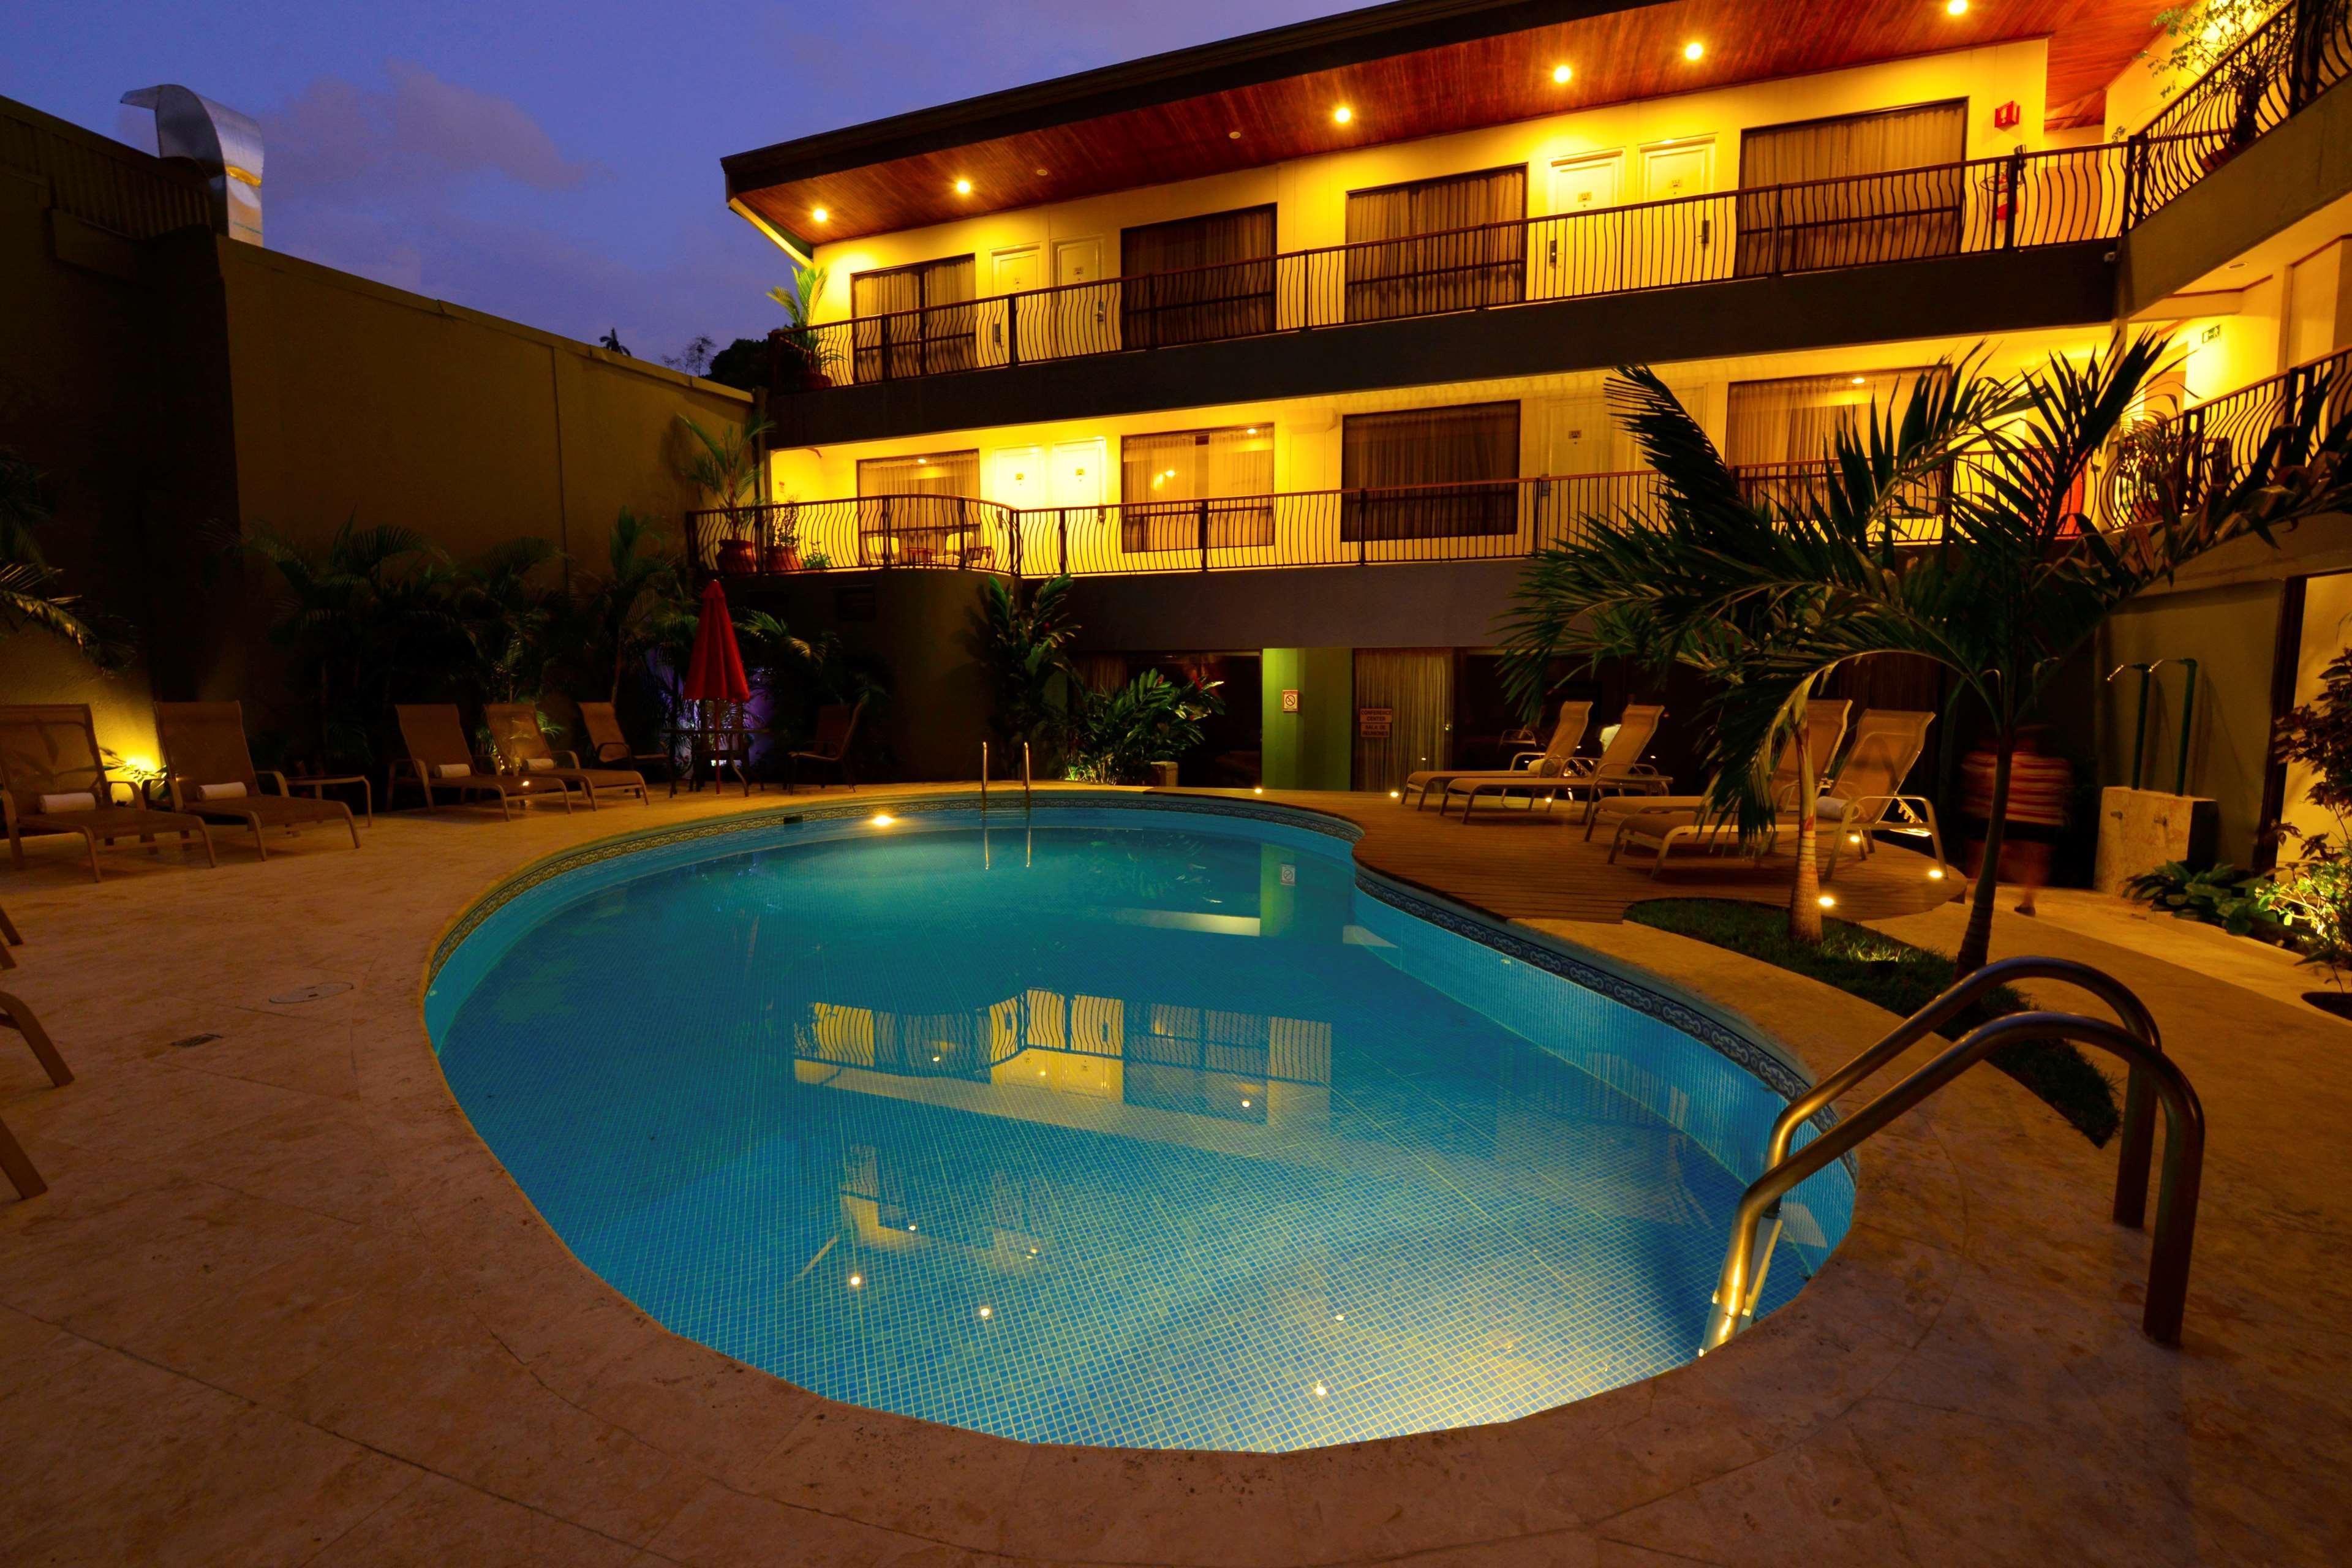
{"x": 561, "y": 163}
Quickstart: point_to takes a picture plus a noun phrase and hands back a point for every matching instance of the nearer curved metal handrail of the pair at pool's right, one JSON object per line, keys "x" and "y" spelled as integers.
{"x": 2177, "y": 1195}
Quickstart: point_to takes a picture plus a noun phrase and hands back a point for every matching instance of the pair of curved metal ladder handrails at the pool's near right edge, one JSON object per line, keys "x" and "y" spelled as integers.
{"x": 2153, "y": 1078}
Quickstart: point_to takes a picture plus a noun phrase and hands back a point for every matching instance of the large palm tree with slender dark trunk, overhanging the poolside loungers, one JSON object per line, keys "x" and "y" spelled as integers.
{"x": 2014, "y": 587}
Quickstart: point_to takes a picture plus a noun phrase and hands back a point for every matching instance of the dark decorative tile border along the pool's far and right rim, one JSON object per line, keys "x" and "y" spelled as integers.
{"x": 1711, "y": 1031}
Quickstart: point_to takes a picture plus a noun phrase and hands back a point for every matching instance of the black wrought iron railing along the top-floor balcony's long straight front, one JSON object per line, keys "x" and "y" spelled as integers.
{"x": 1949, "y": 210}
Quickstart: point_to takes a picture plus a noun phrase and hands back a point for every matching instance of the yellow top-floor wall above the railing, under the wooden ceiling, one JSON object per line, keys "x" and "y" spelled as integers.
{"x": 1311, "y": 192}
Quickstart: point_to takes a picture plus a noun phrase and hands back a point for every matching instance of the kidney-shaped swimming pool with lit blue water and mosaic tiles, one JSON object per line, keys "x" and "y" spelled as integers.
{"x": 1125, "y": 1127}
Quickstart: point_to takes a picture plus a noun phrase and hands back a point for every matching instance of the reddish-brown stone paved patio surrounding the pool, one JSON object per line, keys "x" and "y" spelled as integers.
{"x": 283, "y": 1308}
